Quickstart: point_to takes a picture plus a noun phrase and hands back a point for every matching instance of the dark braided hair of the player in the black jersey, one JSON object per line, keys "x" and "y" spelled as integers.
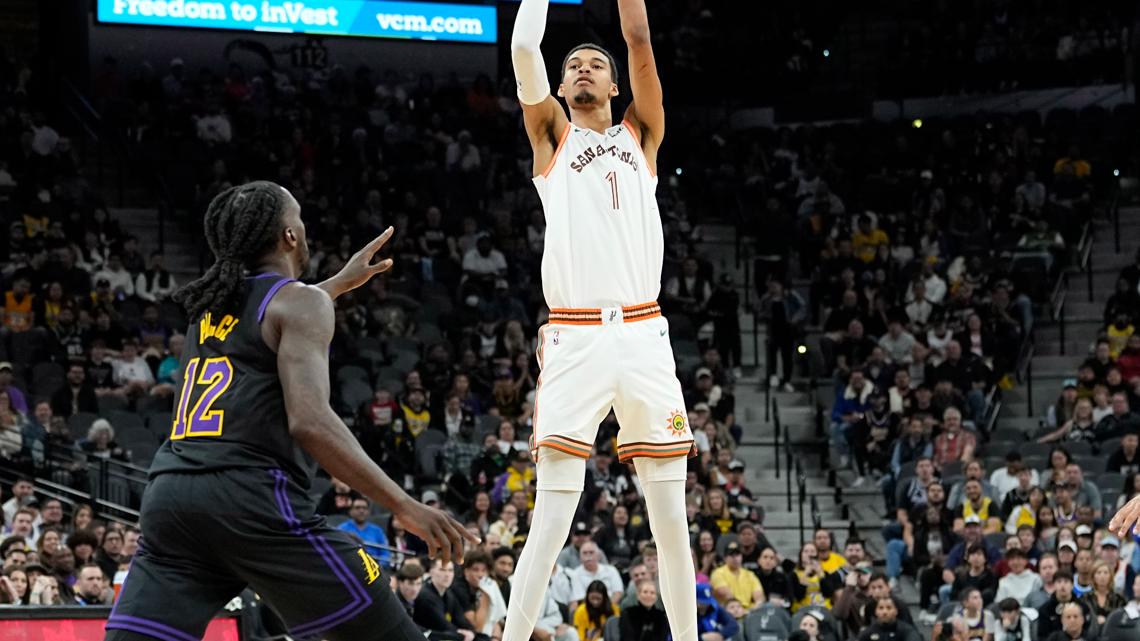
{"x": 241, "y": 226}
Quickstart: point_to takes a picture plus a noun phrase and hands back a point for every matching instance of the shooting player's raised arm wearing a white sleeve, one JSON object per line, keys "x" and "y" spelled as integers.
{"x": 543, "y": 116}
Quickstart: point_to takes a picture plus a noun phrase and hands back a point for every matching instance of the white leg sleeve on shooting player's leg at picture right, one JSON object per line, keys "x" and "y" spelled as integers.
{"x": 665, "y": 501}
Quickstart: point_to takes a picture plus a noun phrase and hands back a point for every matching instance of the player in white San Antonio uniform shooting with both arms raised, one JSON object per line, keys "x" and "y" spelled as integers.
{"x": 607, "y": 344}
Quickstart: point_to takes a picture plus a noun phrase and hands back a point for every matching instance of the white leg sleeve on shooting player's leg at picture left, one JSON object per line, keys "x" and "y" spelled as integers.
{"x": 555, "y": 512}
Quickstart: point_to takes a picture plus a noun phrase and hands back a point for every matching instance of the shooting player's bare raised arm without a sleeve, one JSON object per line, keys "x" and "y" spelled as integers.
{"x": 647, "y": 112}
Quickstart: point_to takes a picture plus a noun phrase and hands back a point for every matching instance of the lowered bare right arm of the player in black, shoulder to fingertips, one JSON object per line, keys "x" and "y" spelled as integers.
{"x": 304, "y": 318}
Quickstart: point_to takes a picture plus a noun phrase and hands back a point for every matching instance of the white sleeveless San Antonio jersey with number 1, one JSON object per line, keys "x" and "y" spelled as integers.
{"x": 605, "y": 244}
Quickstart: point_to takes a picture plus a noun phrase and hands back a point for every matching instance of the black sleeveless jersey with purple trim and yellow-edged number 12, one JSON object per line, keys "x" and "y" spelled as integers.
{"x": 231, "y": 410}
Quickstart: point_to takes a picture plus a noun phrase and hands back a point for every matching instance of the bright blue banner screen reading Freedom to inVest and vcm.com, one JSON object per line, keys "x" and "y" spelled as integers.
{"x": 369, "y": 19}
